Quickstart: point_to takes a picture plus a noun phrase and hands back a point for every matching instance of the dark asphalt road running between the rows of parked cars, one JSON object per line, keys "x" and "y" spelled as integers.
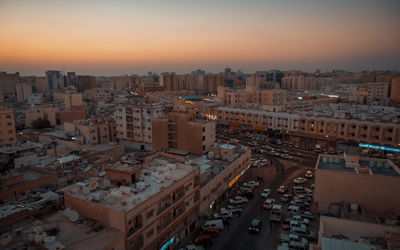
{"x": 237, "y": 235}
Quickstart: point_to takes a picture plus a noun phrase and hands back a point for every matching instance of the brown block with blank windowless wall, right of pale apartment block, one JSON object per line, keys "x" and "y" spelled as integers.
{"x": 183, "y": 131}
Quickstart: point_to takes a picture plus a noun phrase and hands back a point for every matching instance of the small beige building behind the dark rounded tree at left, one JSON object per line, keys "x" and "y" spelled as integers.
{"x": 45, "y": 112}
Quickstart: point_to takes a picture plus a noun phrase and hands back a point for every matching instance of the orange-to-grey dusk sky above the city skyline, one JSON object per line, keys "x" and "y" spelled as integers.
{"x": 126, "y": 37}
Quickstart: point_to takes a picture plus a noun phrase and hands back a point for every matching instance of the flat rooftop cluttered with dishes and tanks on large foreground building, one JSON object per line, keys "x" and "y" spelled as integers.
{"x": 157, "y": 173}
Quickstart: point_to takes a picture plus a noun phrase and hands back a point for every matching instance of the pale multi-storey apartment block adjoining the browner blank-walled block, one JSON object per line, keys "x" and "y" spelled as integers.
{"x": 134, "y": 120}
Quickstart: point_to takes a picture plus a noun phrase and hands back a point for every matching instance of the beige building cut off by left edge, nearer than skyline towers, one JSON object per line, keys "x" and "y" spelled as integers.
{"x": 7, "y": 126}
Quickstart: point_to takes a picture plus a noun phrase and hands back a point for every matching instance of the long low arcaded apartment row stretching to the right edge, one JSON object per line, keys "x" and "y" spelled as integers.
{"x": 324, "y": 123}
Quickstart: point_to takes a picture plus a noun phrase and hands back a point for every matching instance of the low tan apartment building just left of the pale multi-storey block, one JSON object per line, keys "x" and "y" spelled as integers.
{"x": 92, "y": 131}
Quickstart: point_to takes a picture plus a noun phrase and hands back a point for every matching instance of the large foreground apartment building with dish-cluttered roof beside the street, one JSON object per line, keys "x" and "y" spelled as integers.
{"x": 160, "y": 207}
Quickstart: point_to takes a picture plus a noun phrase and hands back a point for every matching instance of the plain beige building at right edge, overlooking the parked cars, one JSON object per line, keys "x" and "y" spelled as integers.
{"x": 350, "y": 179}
